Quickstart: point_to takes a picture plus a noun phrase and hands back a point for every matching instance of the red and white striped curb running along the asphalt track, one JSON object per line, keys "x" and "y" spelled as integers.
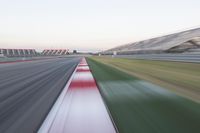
{"x": 79, "y": 108}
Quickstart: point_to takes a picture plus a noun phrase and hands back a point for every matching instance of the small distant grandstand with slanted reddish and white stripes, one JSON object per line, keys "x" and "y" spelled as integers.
{"x": 55, "y": 52}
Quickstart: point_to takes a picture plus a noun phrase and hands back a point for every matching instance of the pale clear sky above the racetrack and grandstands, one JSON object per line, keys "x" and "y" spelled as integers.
{"x": 92, "y": 25}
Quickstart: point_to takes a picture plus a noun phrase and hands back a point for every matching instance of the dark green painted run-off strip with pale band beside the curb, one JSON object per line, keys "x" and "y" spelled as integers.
{"x": 138, "y": 106}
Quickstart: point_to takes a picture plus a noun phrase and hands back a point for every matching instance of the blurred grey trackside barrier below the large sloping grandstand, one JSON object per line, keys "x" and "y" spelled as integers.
{"x": 195, "y": 58}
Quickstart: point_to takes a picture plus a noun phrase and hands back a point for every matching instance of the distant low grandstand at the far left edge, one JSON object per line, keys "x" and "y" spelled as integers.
{"x": 18, "y": 52}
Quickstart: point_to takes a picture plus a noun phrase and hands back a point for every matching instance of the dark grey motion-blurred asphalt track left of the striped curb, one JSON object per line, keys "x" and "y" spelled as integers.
{"x": 28, "y": 91}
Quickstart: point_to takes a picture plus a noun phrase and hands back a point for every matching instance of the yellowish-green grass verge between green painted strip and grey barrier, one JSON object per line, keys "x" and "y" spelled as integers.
{"x": 181, "y": 78}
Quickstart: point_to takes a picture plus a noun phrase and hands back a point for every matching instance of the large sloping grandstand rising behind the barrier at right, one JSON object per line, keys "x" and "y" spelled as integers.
{"x": 174, "y": 43}
